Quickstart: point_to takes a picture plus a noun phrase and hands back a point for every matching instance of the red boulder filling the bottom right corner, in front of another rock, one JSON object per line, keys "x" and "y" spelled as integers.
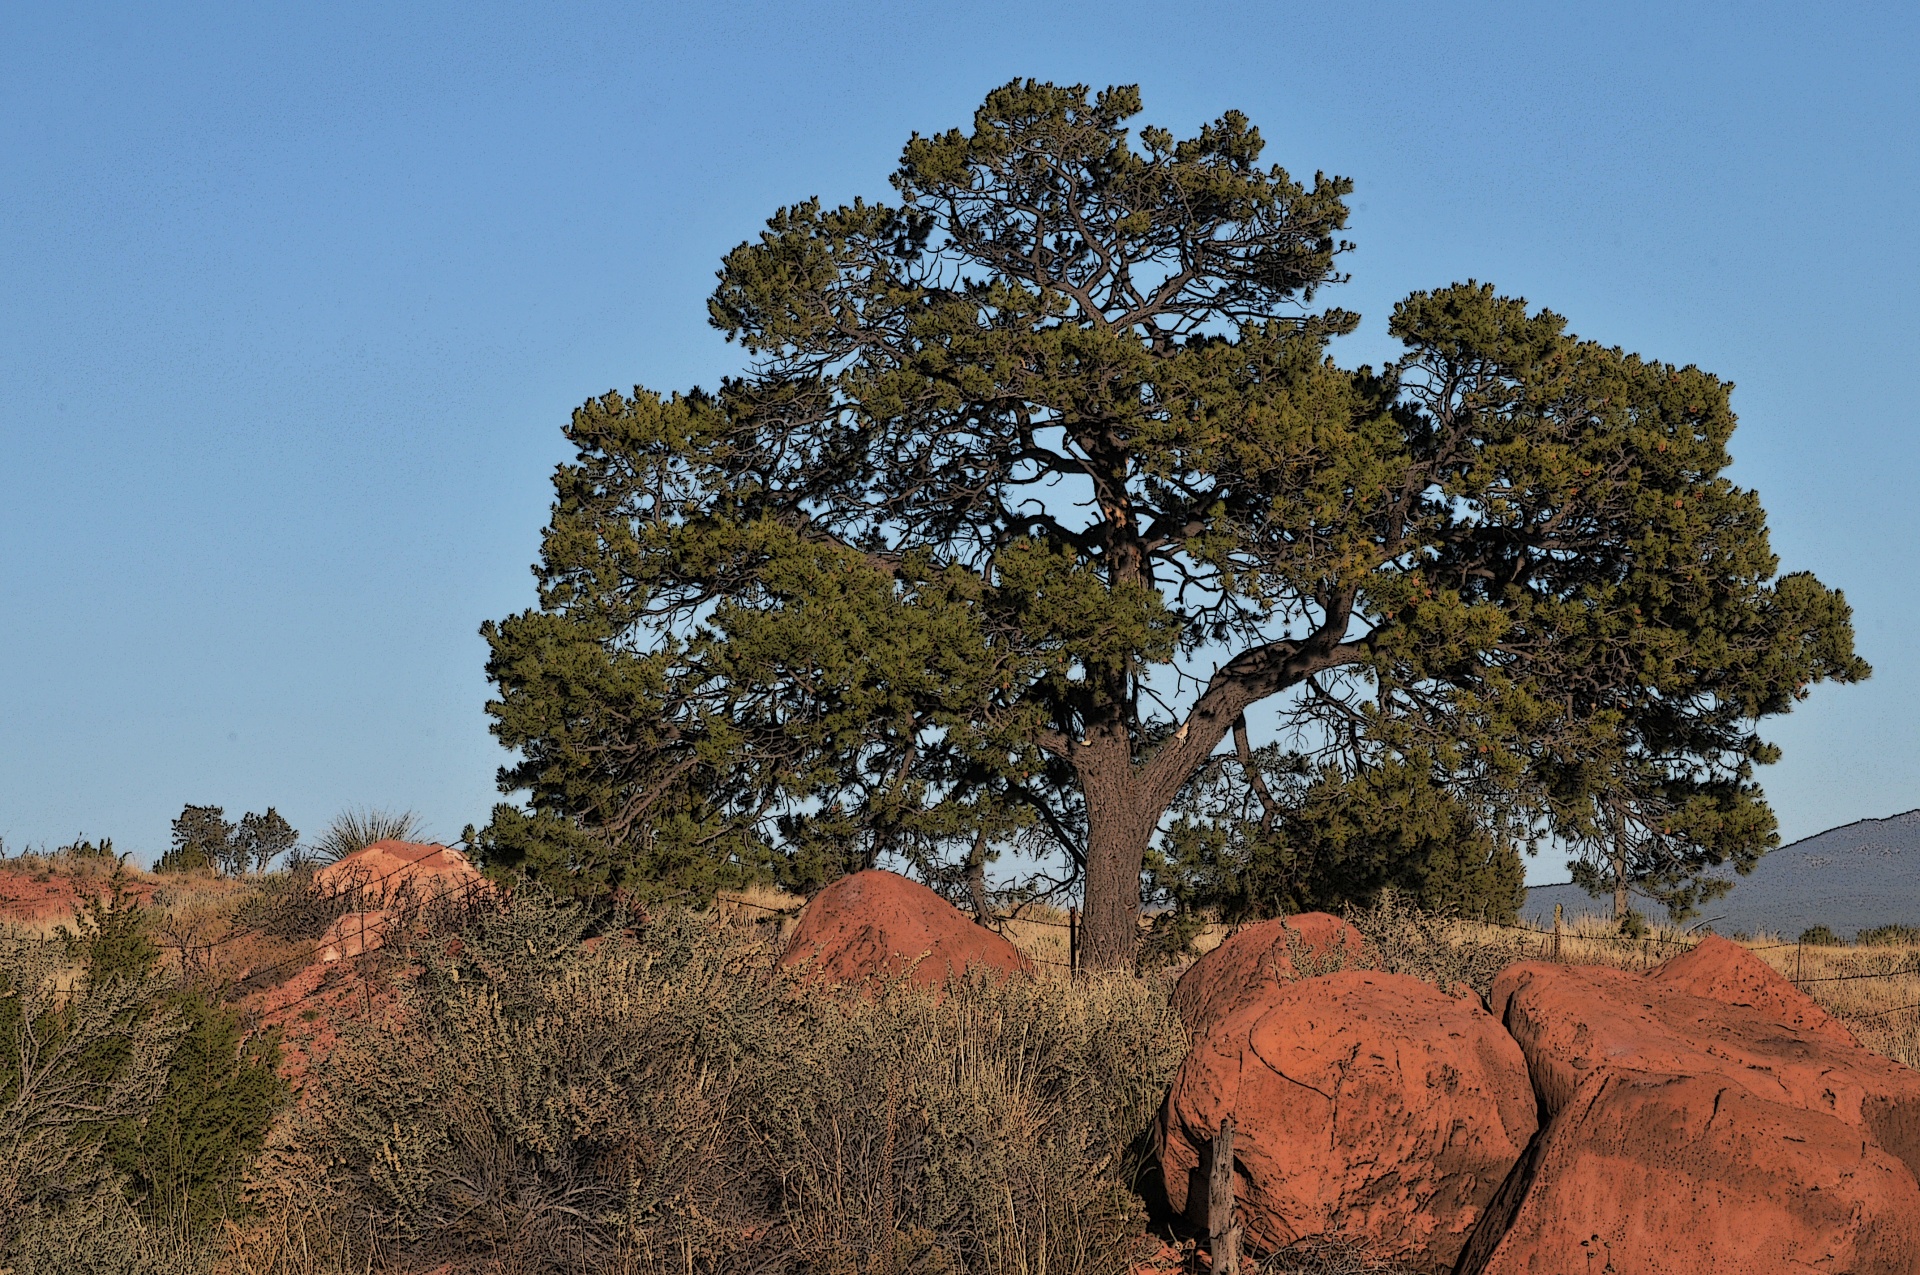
{"x": 1694, "y": 1176}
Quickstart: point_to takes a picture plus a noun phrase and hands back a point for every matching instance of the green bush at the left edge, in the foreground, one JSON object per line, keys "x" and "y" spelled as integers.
{"x": 132, "y": 1086}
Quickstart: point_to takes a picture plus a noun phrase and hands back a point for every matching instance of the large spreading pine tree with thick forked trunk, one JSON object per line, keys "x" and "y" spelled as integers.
{"x": 1042, "y": 475}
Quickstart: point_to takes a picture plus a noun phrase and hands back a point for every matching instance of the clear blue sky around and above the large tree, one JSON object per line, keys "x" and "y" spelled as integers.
{"x": 297, "y": 299}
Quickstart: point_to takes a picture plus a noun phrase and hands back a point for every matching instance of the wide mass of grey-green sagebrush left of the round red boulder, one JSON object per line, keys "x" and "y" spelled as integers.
{"x": 669, "y": 1099}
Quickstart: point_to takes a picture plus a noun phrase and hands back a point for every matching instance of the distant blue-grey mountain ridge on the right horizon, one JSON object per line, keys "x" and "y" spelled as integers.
{"x": 1848, "y": 878}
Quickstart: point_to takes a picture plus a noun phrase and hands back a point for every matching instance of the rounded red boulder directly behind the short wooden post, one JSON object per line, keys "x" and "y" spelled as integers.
{"x": 1366, "y": 1105}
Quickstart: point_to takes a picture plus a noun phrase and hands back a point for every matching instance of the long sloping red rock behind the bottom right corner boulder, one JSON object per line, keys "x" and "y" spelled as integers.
{"x": 1575, "y": 1022}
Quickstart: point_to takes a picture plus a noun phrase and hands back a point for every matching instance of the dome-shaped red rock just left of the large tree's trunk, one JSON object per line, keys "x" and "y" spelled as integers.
{"x": 876, "y": 925}
